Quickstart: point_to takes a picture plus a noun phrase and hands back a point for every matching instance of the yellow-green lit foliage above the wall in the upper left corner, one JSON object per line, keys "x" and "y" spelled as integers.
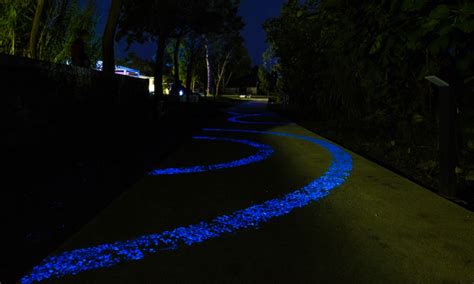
{"x": 59, "y": 27}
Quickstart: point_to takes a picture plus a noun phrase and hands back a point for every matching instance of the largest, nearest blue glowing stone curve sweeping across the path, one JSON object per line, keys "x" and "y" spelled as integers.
{"x": 108, "y": 255}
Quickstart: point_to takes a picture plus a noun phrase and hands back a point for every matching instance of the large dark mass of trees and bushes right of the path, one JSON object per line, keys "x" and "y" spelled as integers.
{"x": 362, "y": 65}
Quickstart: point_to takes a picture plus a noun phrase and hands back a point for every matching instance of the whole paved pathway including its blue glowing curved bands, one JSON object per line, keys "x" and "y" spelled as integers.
{"x": 289, "y": 208}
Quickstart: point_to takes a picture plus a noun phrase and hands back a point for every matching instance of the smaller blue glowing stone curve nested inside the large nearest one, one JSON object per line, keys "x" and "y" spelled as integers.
{"x": 264, "y": 151}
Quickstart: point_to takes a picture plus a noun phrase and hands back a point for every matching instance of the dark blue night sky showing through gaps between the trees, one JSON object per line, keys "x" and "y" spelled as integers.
{"x": 254, "y": 13}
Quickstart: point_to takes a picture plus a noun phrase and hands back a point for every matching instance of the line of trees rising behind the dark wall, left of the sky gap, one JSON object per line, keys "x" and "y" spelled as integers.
{"x": 199, "y": 30}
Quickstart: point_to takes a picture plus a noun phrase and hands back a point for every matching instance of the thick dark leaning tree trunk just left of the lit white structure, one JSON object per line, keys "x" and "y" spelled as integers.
{"x": 108, "y": 38}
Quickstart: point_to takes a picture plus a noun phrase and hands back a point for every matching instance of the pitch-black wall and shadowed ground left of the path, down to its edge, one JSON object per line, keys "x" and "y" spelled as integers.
{"x": 69, "y": 139}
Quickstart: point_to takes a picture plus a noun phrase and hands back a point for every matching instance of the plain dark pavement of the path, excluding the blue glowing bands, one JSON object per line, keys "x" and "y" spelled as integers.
{"x": 377, "y": 227}
